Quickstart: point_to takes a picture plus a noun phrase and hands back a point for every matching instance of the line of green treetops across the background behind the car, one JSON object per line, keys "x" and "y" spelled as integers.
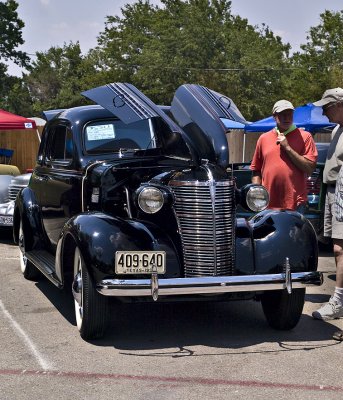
{"x": 158, "y": 48}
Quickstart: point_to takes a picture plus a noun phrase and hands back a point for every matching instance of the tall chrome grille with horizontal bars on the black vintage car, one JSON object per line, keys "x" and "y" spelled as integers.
{"x": 205, "y": 213}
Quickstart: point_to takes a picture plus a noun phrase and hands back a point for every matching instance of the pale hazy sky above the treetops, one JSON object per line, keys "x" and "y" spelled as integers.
{"x": 55, "y": 22}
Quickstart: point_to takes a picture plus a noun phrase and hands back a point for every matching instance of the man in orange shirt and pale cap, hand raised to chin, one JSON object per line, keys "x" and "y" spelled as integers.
{"x": 284, "y": 157}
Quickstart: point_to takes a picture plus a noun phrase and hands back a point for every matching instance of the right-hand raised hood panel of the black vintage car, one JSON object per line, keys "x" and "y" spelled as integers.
{"x": 199, "y": 110}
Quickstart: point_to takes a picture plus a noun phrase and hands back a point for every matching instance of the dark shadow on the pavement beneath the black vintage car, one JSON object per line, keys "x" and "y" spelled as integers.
{"x": 222, "y": 325}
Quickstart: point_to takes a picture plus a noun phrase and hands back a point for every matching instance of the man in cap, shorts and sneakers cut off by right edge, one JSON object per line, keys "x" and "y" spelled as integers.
{"x": 332, "y": 105}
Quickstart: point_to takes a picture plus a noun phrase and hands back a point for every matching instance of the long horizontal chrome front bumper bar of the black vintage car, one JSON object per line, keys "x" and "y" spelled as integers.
{"x": 208, "y": 285}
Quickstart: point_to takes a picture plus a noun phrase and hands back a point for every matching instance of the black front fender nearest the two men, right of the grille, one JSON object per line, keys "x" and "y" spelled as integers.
{"x": 281, "y": 234}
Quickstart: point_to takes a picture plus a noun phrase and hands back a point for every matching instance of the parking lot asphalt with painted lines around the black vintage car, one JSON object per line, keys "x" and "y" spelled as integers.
{"x": 161, "y": 351}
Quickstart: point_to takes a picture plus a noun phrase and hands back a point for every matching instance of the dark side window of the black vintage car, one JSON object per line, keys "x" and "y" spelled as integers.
{"x": 61, "y": 144}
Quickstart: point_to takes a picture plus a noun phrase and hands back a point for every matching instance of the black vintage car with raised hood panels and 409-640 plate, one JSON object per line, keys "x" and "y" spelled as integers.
{"x": 137, "y": 202}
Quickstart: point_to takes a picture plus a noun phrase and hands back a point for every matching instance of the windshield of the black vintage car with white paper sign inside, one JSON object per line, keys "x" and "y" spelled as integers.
{"x": 114, "y": 135}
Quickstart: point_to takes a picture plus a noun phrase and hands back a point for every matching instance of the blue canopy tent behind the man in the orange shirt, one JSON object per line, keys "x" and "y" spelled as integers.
{"x": 308, "y": 117}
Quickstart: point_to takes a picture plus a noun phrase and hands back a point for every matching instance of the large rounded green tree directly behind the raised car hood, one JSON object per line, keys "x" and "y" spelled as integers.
{"x": 195, "y": 41}
